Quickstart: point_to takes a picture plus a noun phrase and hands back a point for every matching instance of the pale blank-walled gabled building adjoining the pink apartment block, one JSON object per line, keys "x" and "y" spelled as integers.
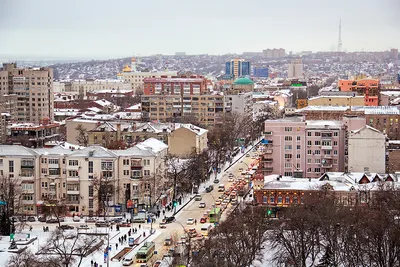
{"x": 366, "y": 150}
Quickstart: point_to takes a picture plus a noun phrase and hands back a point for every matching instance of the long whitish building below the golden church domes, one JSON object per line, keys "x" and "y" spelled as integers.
{"x": 136, "y": 78}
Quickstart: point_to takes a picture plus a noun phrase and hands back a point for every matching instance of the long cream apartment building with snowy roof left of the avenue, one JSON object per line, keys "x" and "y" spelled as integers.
{"x": 74, "y": 177}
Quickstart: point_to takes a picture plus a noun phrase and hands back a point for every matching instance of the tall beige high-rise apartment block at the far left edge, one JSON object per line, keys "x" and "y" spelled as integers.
{"x": 34, "y": 90}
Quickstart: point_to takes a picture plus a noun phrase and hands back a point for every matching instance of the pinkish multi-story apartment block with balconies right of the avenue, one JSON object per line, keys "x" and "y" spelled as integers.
{"x": 294, "y": 146}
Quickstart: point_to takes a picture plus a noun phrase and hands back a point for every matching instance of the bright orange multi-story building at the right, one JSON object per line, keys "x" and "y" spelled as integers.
{"x": 369, "y": 88}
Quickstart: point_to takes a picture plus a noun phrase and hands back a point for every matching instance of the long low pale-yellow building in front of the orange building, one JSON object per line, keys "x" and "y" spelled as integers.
{"x": 341, "y": 101}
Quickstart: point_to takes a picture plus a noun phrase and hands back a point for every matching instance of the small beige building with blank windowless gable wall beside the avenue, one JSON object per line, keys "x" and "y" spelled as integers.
{"x": 186, "y": 139}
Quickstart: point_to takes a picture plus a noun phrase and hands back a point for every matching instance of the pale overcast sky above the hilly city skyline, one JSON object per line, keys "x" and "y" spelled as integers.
{"x": 105, "y": 28}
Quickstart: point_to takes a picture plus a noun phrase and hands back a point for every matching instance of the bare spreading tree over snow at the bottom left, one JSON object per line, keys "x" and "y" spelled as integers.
{"x": 69, "y": 247}
